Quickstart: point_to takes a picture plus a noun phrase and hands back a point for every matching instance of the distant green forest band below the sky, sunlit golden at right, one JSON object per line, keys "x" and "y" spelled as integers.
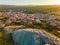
{"x": 30, "y": 9}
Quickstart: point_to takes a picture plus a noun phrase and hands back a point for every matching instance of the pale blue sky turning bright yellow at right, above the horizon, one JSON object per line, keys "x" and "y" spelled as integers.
{"x": 29, "y": 2}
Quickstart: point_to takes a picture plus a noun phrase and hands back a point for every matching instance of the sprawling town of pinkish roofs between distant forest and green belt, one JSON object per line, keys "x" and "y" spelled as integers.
{"x": 12, "y": 17}
